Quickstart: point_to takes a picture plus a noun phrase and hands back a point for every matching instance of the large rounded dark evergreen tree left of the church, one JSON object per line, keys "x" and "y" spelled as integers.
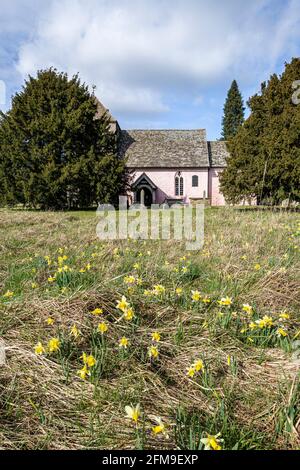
{"x": 54, "y": 153}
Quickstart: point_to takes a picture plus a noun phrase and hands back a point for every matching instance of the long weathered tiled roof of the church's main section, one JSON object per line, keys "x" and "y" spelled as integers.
{"x": 164, "y": 148}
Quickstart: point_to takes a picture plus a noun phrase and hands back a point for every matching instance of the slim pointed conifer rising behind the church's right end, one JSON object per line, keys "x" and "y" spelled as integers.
{"x": 234, "y": 112}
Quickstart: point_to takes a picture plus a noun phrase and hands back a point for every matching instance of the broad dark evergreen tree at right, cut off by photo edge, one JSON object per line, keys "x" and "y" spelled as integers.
{"x": 264, "y": 157}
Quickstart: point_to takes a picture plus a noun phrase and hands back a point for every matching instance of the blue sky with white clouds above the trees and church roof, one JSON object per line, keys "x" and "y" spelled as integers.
{"x": 156, "y": 64}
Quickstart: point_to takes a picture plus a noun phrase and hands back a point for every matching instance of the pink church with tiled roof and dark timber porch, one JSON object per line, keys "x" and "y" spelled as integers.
{"x": 169, "y": 166}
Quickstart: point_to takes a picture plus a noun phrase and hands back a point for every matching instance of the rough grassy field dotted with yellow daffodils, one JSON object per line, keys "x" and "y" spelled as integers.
{"x": 205, "y": 343}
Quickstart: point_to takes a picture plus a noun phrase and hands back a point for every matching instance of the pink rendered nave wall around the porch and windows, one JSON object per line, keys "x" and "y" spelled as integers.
{"x": 164, "y": 179}
